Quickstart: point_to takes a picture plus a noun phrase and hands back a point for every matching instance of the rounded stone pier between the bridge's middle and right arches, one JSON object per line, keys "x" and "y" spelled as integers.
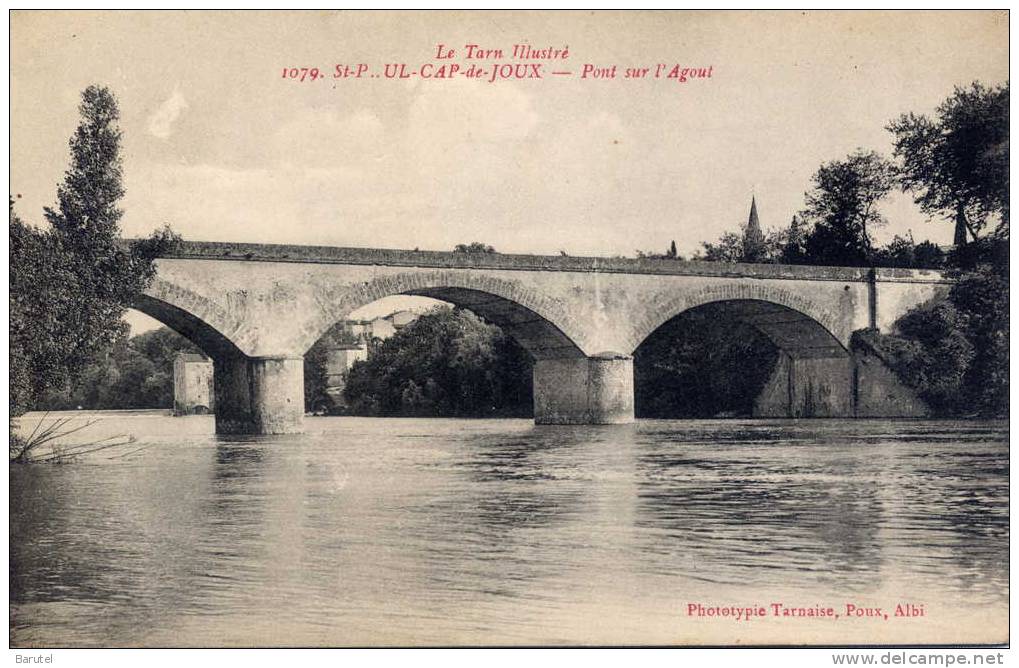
{"x": 584, "y": 391}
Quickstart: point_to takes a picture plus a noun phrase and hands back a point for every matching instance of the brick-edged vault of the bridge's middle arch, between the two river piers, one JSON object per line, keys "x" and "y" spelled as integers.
{"x": 542, "y": 325}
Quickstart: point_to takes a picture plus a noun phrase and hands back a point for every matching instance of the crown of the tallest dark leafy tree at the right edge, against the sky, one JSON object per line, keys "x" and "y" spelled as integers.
{"x": 956, "y": 165}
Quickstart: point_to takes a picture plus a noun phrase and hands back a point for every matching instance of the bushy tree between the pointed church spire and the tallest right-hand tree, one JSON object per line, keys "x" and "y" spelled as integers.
{"x": 843, "y": 208}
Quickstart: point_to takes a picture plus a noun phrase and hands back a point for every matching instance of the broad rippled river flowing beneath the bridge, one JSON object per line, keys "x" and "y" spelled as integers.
{"x": 454, "y": 532}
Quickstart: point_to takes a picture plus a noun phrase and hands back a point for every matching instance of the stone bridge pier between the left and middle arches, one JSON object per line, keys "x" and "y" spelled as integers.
{"x": 260, "y": 396}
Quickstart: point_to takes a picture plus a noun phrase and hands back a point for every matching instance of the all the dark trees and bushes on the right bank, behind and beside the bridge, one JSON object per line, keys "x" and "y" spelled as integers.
{"x": 954, "y": 351}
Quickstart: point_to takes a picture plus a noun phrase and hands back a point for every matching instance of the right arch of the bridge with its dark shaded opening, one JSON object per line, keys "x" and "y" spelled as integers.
{"x": 803, "y": 370}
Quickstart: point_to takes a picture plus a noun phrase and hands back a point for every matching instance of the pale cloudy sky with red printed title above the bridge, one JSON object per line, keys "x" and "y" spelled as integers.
{"x": 222, "y": 146}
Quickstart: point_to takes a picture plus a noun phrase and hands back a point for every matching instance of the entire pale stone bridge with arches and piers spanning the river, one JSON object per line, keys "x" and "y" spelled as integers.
{"x": 257, "y": 309}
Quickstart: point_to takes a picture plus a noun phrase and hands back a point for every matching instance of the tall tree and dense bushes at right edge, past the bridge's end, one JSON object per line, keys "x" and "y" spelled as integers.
{"x": 954, "y": 351}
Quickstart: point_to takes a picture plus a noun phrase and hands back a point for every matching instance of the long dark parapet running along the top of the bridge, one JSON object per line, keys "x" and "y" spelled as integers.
{"x": 221, "y": 251}
